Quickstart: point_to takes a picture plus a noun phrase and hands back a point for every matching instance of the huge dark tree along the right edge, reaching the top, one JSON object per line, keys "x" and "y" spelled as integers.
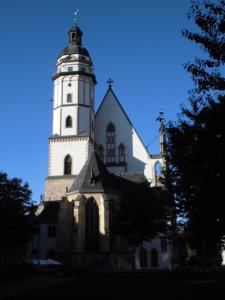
{"x": 195, "y": 143}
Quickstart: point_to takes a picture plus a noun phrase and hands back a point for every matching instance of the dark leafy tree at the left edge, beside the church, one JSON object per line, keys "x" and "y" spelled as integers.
{"x": 17, "y": 214}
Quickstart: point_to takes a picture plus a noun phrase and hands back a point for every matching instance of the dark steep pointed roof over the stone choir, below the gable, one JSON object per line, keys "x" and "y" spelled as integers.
{"x": 93, "y": 177}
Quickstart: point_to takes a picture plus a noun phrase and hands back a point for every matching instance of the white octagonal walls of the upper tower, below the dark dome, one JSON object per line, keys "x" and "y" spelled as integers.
{"x": 73, "y": 96}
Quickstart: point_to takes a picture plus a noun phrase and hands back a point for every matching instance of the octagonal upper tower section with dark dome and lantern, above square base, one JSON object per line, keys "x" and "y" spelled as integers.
{"x": 74, "y": 81}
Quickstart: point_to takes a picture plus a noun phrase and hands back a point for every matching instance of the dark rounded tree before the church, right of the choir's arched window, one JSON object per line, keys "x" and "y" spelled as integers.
{"x": 140, "y": 214}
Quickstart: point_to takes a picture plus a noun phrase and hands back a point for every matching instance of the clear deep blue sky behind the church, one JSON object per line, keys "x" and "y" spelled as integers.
{"x": 136, "y": 43}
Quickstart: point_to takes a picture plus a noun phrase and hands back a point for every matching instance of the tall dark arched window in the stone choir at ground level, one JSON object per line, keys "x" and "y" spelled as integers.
{"x": 91, "y": 225}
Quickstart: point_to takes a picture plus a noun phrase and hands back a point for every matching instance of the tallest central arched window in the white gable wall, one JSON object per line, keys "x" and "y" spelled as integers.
{"x": 110, "y": 143}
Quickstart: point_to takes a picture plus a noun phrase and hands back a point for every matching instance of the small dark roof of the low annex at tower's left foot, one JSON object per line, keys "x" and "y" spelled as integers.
{"x": 49, "y": 213}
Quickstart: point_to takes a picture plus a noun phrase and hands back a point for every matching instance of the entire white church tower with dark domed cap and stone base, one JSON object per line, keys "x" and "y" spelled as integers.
{"x": 73, "y": 116}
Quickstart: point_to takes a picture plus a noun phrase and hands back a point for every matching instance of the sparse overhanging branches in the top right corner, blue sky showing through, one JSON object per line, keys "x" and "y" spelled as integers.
{"x": 207, "y": 73}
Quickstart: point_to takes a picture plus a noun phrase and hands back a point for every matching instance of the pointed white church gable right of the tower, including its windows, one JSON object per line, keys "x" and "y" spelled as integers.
{"x": 121, "y": 150}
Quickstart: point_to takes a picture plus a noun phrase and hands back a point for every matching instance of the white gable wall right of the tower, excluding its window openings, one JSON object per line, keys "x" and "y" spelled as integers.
{"x": 136, "y": 155}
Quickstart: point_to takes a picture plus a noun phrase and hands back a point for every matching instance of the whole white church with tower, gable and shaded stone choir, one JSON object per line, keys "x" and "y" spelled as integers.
{"x": 87, "y": 151}
